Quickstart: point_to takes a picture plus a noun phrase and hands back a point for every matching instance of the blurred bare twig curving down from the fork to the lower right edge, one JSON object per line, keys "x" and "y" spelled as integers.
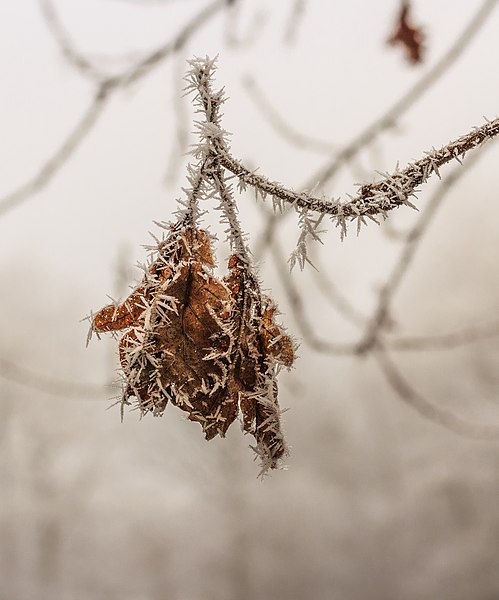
{"x": 428, "y": 410}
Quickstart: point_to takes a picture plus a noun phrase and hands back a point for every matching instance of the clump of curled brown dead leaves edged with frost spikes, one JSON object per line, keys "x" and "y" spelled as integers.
{"x": 209, "y": 346}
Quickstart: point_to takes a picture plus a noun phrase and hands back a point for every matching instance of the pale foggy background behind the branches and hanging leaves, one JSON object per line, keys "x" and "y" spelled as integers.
{"x": 377, "y": 502}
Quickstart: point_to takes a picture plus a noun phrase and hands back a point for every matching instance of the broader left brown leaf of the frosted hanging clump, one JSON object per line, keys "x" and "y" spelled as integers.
{"x": 172, "y": 327}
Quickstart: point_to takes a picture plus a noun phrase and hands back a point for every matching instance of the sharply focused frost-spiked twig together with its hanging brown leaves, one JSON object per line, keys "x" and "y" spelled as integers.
{"x": 211, "y": 346}
